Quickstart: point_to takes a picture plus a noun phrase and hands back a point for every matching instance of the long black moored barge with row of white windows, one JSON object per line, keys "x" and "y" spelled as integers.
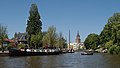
{"x": 33, "y": 52}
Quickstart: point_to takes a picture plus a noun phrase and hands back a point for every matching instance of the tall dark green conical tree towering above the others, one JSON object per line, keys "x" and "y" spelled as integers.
{"x": 34, "y": 24}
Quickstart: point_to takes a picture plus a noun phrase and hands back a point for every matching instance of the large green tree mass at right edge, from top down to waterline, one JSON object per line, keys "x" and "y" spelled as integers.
{"x": 110, "y": 36}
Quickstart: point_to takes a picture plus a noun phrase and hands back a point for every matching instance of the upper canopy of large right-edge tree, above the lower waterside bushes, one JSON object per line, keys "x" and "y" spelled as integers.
{"x": 111, "y": 30}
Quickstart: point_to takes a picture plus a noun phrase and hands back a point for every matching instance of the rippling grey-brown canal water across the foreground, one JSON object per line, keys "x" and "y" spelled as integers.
{"x": 69, "y": 60}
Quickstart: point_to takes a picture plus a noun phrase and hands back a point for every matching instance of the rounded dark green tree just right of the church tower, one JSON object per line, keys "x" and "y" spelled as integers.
{"x": 92, "y": 41}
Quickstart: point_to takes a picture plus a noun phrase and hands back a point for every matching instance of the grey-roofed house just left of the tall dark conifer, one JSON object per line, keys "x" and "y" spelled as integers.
{"x": 20, "y": 38}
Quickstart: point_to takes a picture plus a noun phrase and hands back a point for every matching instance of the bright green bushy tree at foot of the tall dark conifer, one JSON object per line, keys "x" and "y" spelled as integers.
{"x": 36, "y": 40}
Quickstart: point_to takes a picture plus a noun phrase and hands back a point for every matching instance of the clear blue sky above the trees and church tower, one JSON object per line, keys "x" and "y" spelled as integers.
{"x": 85, "y": 16}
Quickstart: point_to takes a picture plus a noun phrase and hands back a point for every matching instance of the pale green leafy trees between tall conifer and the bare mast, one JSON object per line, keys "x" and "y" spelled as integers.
{"x": 52, "y": 39}
